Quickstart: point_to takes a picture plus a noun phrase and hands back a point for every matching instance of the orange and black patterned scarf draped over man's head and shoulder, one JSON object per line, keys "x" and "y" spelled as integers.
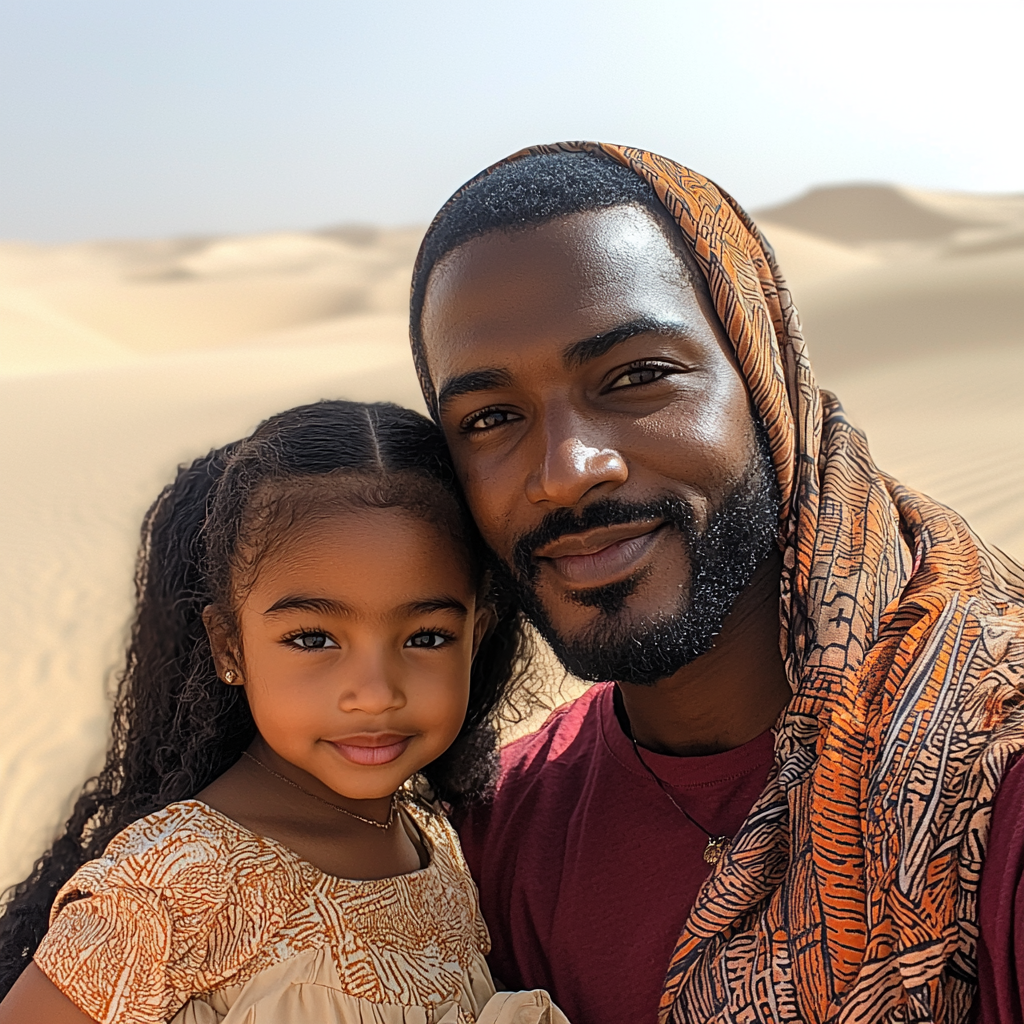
{"x": 850, "y": 892}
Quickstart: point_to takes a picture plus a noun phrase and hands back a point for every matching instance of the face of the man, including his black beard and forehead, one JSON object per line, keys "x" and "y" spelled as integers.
{"x": 604, "y": 437}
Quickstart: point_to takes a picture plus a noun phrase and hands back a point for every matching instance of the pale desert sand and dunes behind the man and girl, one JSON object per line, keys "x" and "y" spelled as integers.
{"x": 121, "y": 360}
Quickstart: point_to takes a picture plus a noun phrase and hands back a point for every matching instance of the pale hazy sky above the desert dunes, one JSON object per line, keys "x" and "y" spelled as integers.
{"x": 139, "y": 118}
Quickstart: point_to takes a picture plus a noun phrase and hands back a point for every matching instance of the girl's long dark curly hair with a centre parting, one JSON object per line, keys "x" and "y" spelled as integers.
{"x": 177, "y": 726}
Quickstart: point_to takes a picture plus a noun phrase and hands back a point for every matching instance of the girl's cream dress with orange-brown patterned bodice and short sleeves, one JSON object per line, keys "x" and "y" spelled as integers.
{"x": 193, "y": 919}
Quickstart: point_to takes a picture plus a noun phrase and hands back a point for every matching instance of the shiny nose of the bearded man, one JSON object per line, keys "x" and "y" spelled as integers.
{"x": 573, "y": 463}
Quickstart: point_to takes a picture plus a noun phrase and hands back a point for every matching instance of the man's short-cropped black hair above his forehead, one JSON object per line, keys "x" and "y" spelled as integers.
{"x": 526, "y": 193}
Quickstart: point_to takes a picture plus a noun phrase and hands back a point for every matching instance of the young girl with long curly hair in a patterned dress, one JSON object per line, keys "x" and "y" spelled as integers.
{"x": 313, "y": 675}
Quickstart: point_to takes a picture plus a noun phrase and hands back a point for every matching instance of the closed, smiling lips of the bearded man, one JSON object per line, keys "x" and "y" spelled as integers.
{"x": 602, "y": 556}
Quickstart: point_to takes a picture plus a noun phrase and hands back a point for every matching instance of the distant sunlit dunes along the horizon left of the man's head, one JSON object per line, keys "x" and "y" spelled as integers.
{"x": 138, "y": 300}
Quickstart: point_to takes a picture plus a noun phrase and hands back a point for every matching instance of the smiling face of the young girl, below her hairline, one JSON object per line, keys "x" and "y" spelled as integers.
{"x": 357, "y": 644}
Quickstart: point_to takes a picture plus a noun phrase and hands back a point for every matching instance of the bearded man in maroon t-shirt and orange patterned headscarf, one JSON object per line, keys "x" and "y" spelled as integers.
{"x": 781, "y": 808}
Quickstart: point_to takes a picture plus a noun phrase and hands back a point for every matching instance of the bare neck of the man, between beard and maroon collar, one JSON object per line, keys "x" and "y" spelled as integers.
{"x": 729, "y": 696}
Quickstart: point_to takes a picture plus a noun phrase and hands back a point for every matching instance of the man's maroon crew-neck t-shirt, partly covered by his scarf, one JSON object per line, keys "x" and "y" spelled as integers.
{"x": 587, "y": 873}
